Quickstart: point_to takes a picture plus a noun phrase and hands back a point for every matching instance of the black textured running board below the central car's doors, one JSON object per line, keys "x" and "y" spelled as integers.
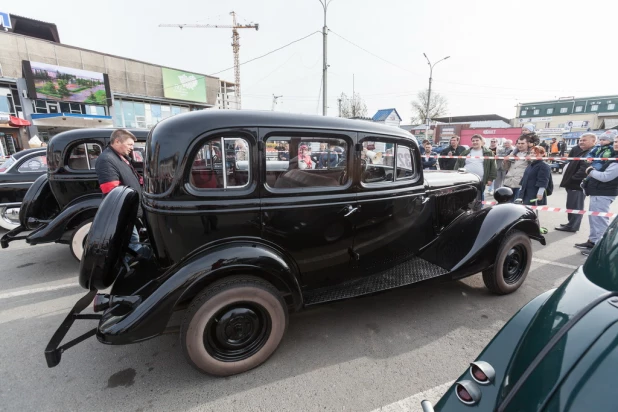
{"x": 411, "y": 271}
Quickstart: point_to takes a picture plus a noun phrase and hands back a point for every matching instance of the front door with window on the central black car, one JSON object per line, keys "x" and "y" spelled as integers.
{"x": 393, "y": 220}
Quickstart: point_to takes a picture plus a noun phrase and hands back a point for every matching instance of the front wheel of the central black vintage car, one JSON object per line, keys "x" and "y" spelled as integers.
{"x": 512, "y": 264}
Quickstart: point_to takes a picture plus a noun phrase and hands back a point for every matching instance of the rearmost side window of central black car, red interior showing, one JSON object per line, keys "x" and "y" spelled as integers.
{"x": 221, "y": 163}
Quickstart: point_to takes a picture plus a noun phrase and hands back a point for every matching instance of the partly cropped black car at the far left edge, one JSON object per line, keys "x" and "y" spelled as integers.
{"x": 17, "y": 174}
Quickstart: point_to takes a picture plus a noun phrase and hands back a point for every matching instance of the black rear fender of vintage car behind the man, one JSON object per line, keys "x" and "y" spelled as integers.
{"x": 75, "y": 212}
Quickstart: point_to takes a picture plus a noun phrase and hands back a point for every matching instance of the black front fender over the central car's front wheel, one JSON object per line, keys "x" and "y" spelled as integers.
{"x": 471, "y": 241}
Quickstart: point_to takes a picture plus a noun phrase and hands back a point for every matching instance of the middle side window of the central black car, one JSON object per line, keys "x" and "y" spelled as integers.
{"x": 298, "y": 162}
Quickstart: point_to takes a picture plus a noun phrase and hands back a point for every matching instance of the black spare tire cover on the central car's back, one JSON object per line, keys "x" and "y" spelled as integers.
{"x": 108, "y": 239}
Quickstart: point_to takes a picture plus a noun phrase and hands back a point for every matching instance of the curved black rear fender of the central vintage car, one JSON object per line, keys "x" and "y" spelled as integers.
{"x": 182, "y": 282}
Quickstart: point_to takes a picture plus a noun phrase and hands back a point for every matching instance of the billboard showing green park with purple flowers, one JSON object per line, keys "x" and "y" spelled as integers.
{"x": 66, "y": 84}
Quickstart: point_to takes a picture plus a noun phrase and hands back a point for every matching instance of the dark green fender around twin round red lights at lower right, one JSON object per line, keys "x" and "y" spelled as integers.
{"x": 498, "y": 354}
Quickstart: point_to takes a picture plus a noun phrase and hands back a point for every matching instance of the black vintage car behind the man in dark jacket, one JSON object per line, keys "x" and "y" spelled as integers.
{"x": 60, "y": 205}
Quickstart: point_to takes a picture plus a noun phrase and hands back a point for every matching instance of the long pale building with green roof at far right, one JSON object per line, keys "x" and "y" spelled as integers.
{"x": 570, "y": 114}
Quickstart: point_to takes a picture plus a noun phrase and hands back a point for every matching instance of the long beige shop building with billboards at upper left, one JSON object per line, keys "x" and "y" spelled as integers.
{"x": 53, "y": 87}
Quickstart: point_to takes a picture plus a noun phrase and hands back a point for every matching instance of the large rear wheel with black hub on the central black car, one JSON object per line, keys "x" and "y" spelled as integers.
{"x": 233, "y": 326}
